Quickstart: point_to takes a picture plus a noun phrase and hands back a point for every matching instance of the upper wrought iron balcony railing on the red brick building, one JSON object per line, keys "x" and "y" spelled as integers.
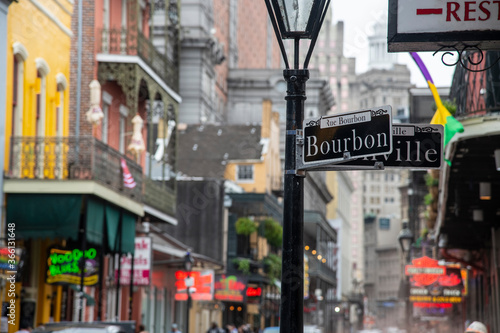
{"x": 133, "y": 42}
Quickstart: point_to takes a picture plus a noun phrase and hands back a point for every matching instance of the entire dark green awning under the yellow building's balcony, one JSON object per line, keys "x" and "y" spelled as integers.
{"x": 40, "y": 216}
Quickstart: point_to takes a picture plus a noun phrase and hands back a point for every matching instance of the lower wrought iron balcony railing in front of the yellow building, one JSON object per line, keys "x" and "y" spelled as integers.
{"x": 72, "y": 158}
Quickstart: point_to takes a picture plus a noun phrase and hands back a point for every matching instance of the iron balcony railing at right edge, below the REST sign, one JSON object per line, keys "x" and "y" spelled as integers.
{"x": 475, "y": 91}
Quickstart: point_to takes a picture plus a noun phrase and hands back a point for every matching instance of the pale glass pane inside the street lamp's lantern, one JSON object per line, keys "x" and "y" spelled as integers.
{"x": 295, "y": 14}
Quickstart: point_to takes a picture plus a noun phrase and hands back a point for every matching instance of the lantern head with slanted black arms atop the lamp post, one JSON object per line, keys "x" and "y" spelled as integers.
{"x": 297, "y": 19}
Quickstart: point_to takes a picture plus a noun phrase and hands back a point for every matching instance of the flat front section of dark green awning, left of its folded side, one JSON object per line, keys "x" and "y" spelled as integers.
{"x": 44, "y": 215}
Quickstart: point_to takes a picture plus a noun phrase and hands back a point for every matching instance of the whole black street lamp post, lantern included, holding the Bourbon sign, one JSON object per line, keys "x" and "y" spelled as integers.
{"x": 294, "y": 19}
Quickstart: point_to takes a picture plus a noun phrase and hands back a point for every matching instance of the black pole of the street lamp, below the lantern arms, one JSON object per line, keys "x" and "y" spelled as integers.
{"x": 292, "y": 287}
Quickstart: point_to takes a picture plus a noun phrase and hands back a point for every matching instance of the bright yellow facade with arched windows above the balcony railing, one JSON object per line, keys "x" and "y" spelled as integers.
{"x": 38, "y": 67}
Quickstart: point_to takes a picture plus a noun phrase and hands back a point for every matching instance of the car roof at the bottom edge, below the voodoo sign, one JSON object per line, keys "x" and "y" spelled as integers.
{"x": 94, "y": 327}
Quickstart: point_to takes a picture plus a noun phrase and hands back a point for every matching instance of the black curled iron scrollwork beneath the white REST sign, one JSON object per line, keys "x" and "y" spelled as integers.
{"x": 465, "y": 57}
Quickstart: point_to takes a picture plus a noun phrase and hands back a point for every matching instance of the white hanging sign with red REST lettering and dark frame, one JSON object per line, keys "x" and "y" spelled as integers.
{"x": 431, "y": 25}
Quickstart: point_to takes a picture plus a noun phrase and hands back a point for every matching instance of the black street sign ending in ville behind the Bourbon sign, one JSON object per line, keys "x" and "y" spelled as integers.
{"x": 413, "y": 146}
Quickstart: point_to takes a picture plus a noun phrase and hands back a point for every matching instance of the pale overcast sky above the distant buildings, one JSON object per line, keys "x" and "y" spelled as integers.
{"x": 359, "y": 16}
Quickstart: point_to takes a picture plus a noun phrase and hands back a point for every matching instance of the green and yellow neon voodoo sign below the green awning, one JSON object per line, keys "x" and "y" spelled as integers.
{"x": 64, "y": 267}
